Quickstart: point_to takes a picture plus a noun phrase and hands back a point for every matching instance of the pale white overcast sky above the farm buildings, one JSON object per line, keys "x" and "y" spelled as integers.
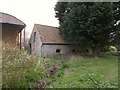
{"x": 31, "y": 11}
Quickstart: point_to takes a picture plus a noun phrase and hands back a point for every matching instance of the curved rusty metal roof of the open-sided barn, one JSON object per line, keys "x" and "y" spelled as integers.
{"x": 9, "y": 19}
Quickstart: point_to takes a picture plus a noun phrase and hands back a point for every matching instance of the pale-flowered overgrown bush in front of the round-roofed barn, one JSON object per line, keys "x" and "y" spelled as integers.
{"x": 20, "y": 70}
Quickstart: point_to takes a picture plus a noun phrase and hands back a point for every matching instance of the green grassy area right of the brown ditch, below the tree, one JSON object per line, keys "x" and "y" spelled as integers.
{"x": 78, "y": 72}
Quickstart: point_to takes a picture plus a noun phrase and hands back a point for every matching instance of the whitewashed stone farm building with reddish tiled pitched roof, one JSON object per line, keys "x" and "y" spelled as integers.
{"x": 46, "y": 41}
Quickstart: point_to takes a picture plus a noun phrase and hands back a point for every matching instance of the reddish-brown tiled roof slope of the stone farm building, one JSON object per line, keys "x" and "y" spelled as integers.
{"x": 49, "y": 34}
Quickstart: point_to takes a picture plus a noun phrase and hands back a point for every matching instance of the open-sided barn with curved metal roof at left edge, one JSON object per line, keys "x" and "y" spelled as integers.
{"x": 11, "y": 28}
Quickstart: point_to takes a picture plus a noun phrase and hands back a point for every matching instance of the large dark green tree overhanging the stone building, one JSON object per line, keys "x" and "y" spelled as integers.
{"x": 88, "y": 24}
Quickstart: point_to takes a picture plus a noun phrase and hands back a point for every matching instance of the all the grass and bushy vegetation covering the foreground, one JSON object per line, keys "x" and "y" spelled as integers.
{"x": 21, "y": 70}
